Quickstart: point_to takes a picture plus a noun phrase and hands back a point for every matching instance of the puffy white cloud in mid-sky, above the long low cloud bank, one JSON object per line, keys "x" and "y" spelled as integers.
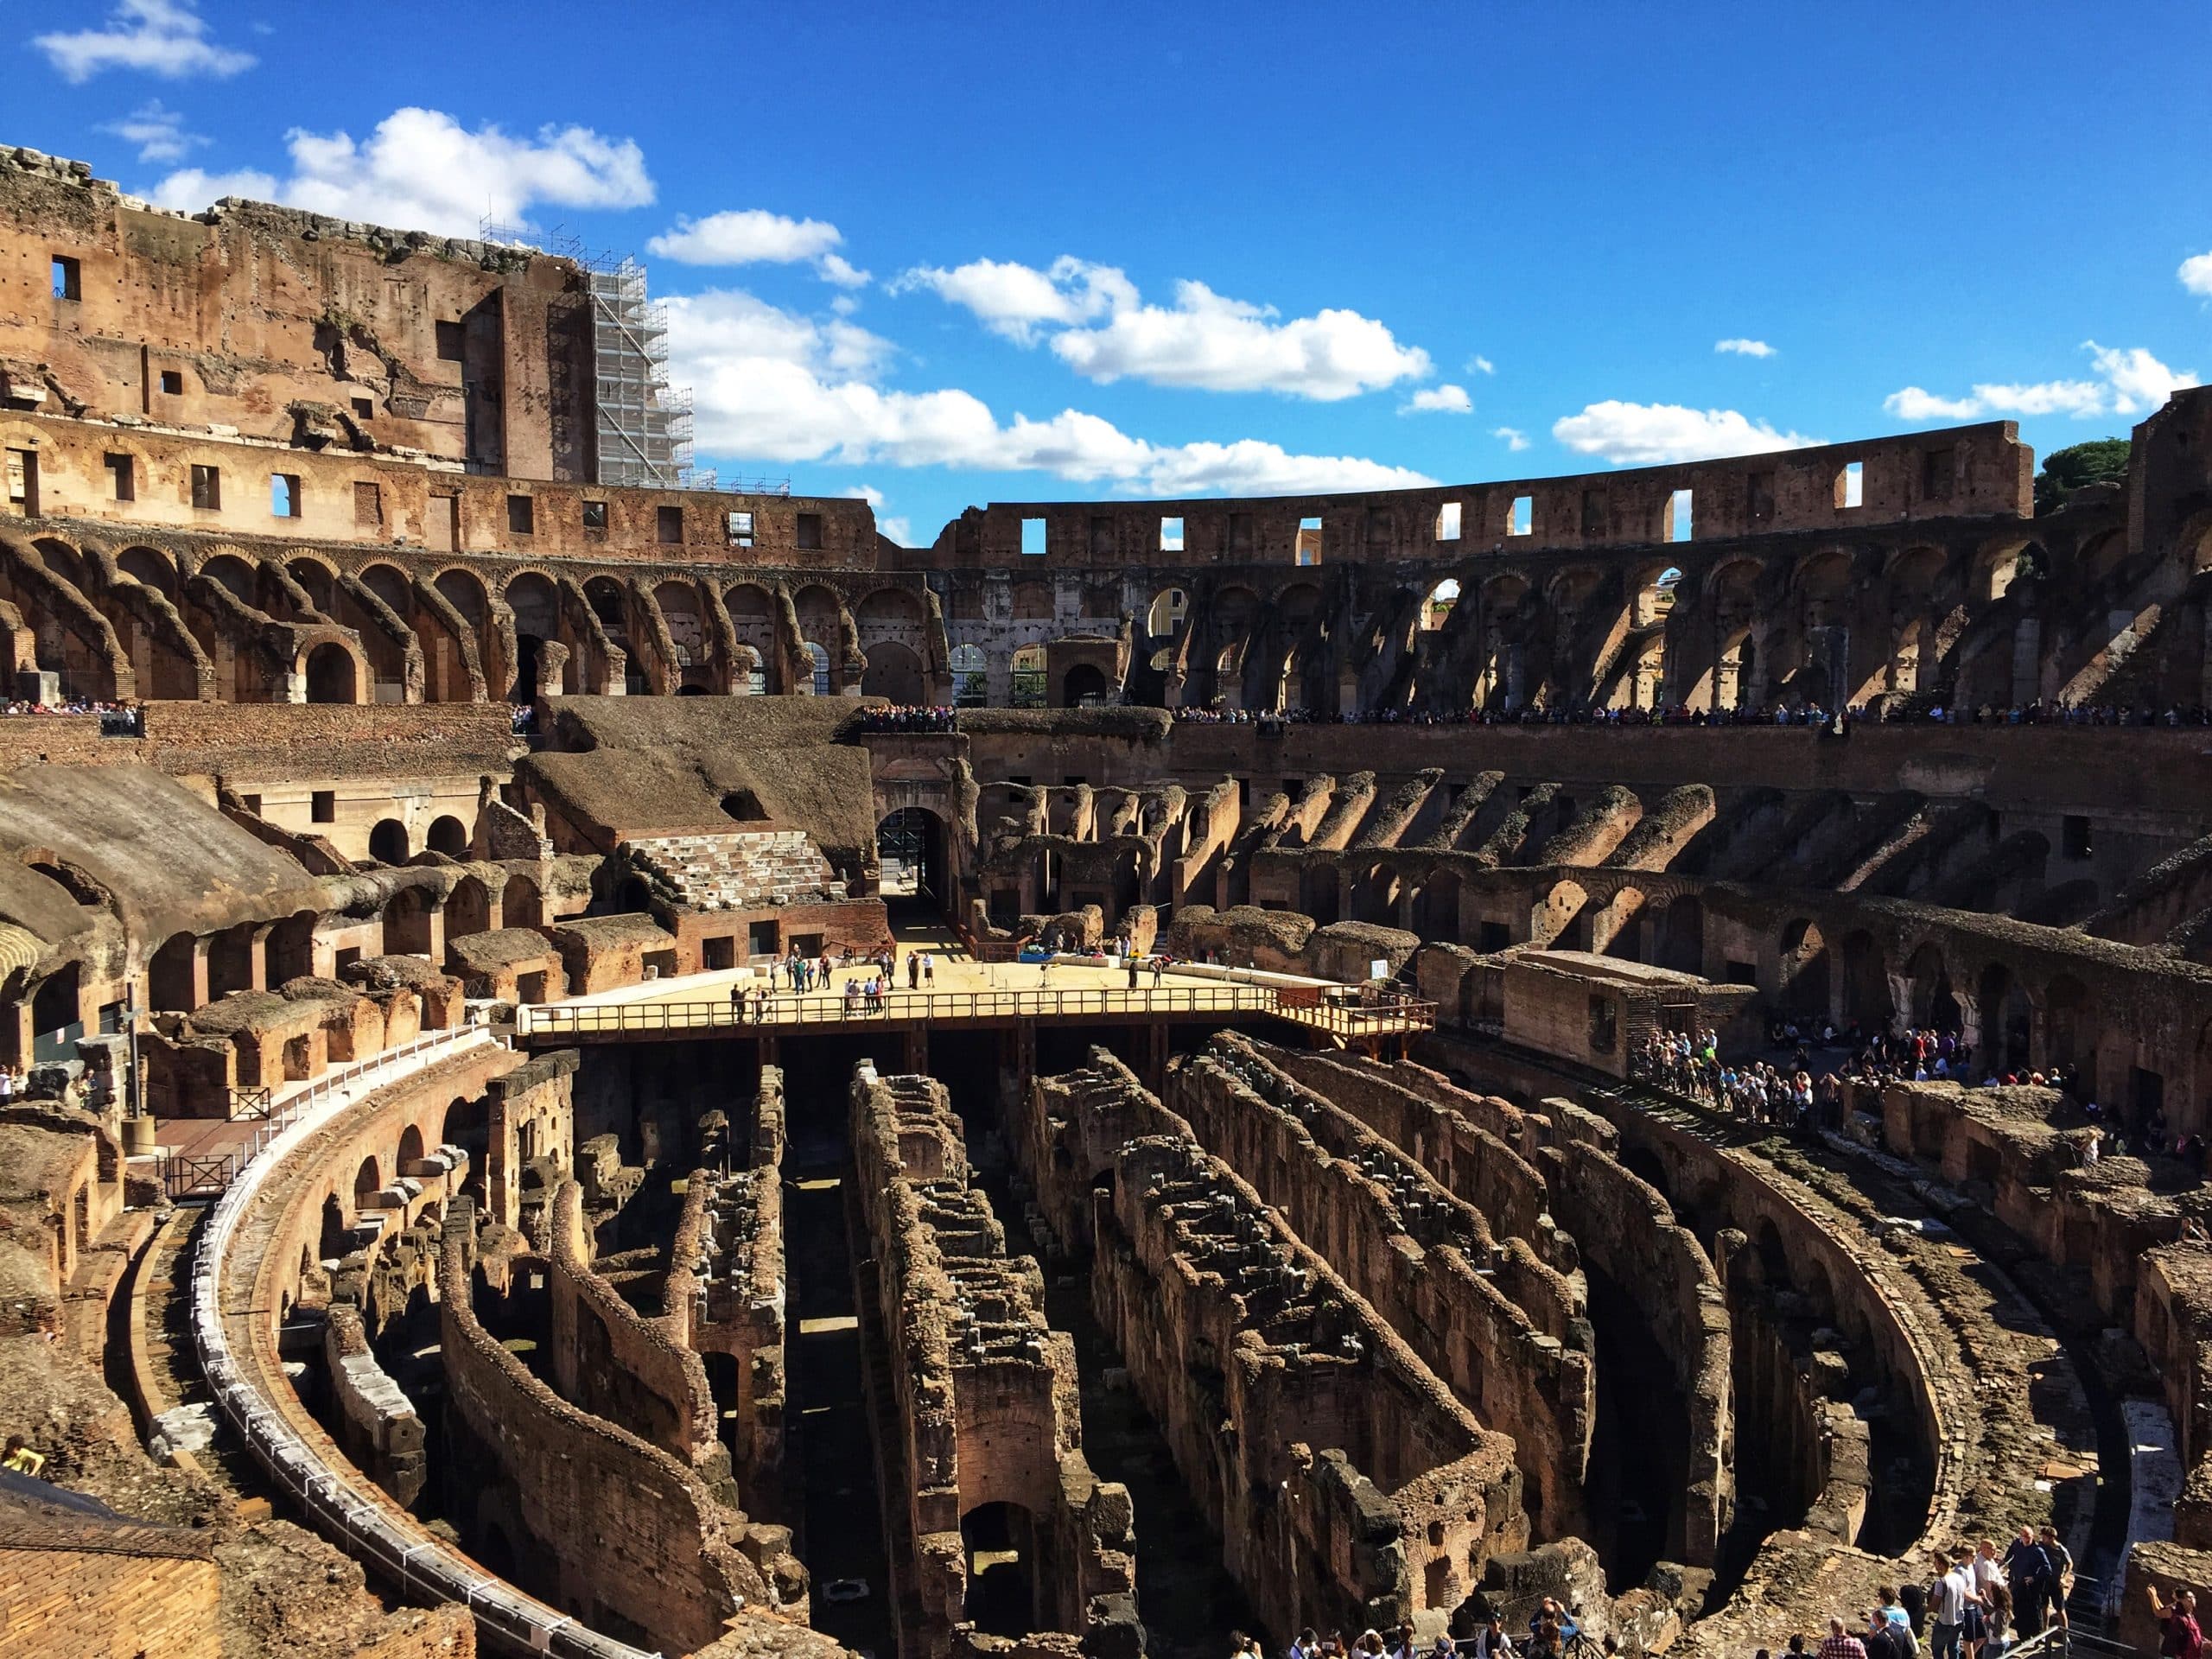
{"x": 1100, "y": 326}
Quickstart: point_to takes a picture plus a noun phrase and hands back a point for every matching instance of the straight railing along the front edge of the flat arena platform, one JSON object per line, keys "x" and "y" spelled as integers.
{"x": 789, "y": 1010}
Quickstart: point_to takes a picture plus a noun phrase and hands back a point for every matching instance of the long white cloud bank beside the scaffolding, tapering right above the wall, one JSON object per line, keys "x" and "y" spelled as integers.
{"x": 778, "y": 386}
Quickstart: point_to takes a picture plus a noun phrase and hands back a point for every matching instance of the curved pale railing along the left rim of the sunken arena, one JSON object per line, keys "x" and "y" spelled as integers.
{"x": 326, "y": 1494}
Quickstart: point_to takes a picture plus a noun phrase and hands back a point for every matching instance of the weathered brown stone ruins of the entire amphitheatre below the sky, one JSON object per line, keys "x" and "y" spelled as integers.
{"x": 603, "y": 1067}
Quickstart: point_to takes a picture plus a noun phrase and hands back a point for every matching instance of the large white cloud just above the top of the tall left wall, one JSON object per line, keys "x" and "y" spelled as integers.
{"x": 424, "y": 171}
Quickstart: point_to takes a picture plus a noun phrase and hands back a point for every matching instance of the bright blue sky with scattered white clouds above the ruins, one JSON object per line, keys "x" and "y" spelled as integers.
{"x": 959, "y": 253}
